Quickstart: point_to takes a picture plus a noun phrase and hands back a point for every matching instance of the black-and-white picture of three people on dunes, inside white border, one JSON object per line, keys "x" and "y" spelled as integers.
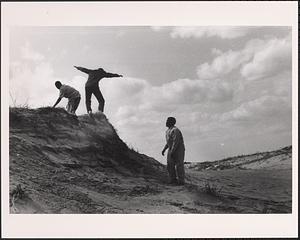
{"x": 149, "y": 119}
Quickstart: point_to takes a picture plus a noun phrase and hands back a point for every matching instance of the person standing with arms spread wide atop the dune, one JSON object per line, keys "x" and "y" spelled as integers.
{"x": 92, "y": 87}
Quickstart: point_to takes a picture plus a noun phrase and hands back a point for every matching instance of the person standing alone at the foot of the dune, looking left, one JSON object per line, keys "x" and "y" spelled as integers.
{"x": 175, "y": 158}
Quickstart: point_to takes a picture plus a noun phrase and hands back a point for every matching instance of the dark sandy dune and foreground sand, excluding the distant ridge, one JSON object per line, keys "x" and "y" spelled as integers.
{"x": 69, "y": 165}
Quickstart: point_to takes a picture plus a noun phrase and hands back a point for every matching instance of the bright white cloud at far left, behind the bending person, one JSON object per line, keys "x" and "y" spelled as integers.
{"x": 31, "y": 79}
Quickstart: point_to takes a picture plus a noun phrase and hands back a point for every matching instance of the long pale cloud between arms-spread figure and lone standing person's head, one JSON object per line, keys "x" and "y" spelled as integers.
{"x": 130, "y": 96}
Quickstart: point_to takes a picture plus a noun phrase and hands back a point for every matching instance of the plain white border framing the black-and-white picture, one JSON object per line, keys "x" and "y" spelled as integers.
{"x": 237, "y": 13}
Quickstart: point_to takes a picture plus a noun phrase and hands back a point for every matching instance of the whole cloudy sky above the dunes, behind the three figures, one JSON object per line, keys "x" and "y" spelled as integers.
{"x": 228, "y": 87}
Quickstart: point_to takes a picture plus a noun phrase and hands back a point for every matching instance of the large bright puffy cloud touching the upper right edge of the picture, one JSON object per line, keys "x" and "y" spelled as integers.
{"x": 258, "y": 59}
